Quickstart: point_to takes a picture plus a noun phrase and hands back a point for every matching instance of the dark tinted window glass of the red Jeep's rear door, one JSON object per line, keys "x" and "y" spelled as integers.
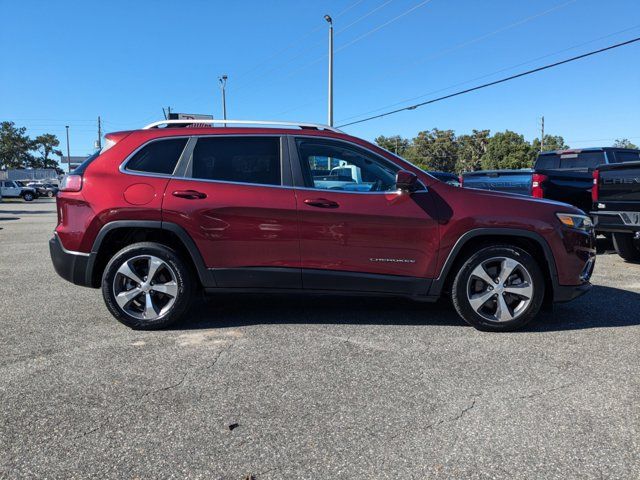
{"x": 238, "y": 159}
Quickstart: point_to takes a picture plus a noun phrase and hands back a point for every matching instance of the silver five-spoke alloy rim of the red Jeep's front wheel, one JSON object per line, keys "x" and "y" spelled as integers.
{"x": 500, "y": 289}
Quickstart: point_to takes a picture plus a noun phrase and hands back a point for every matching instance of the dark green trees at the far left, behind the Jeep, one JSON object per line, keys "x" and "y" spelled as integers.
{"x": 18, "y": 150}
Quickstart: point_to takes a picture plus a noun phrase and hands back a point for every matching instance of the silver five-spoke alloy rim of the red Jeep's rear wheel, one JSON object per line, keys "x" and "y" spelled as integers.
{"x": 145, "y": 287}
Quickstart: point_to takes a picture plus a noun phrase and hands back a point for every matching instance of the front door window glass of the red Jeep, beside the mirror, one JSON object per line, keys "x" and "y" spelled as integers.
{"x": 336, "y": 166}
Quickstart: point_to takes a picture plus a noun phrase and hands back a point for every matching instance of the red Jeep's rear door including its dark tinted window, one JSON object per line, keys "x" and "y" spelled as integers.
{"x": 236, "y": 201}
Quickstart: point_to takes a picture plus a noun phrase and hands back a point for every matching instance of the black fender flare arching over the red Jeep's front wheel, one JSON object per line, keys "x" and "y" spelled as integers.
{"x": 438, "y": 283}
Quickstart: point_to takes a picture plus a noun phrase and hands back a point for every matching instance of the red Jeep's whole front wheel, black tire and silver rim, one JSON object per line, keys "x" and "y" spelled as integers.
{"x": 499, "y": 288}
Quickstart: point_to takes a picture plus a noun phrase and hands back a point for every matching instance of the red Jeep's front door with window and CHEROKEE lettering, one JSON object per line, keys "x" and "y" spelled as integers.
{"x": 357, "y": 232}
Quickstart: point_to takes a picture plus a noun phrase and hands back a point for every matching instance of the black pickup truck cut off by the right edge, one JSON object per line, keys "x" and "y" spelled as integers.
{"x": 616, "y": 206}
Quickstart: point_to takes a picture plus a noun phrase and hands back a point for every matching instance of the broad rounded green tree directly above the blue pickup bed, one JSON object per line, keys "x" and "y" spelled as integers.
{"x": 508, "y": 150}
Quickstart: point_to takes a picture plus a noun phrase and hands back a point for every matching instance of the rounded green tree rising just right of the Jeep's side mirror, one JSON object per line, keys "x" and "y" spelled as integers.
{"x": 434, "y": 150}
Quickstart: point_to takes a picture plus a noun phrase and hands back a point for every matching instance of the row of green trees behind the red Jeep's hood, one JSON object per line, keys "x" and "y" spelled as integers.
{"x": 443, "y": 150}
